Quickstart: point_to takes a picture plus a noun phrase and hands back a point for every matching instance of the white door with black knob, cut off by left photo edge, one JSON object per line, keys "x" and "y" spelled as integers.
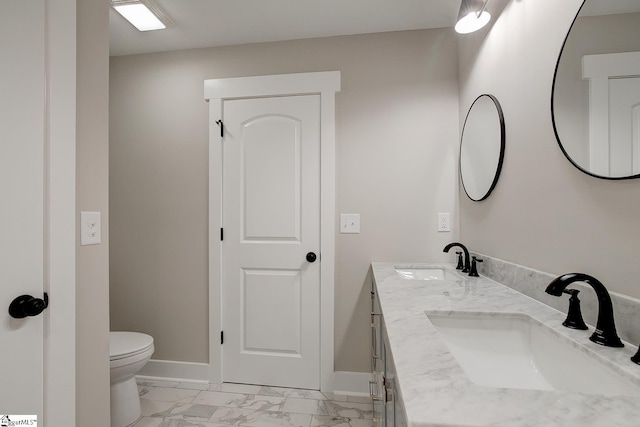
{"x": 22, "y": 130}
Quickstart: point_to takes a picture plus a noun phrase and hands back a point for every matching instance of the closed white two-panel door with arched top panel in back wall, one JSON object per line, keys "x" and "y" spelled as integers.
{"x": 271, "y": 218}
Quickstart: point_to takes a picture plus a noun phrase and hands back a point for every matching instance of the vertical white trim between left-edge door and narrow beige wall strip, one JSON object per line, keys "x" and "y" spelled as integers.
{"x": 60, "y": 199}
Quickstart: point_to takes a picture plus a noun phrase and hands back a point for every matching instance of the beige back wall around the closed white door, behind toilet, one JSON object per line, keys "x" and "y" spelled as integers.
{"x": 397, "y": 133}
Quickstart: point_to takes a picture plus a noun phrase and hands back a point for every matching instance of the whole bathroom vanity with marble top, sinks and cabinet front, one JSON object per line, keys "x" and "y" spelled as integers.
{"x": 443, "y": 354}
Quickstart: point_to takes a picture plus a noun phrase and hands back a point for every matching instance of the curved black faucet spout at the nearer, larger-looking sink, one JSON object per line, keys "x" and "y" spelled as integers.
{"x": 605, "y": 333}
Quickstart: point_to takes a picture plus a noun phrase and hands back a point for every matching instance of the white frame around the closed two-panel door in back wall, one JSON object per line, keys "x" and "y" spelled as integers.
{"x": 216, "y": 91}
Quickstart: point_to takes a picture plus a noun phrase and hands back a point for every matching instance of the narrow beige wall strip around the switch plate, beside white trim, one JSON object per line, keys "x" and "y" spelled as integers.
{"x": 92, "y": 262}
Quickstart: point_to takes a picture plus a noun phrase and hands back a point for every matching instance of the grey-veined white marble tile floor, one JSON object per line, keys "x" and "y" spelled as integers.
{"x": 173, "y": 404}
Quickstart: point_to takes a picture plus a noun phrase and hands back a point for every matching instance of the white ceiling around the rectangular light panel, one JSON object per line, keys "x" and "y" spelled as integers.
{"x": 209, "y": 23}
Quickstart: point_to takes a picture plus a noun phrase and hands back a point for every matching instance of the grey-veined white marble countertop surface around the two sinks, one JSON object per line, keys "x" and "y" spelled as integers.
{"x": 436, "y": 391}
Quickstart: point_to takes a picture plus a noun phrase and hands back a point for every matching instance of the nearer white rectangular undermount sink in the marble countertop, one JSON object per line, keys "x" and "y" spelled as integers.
{"x": 516, "y": 351}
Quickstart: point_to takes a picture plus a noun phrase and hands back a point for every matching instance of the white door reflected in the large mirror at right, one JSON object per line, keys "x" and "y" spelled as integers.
{"x": 624, "y": 125}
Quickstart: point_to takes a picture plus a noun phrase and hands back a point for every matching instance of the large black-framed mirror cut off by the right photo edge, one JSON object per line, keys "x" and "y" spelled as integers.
{"x": 596, "y": 90}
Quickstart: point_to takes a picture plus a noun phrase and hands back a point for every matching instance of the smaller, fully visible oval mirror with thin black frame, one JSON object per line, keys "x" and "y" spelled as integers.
{"x": 482, "y": 147}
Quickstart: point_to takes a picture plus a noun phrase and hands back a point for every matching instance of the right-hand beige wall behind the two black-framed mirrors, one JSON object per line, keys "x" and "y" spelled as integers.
{"x": 544, "y": 213}
